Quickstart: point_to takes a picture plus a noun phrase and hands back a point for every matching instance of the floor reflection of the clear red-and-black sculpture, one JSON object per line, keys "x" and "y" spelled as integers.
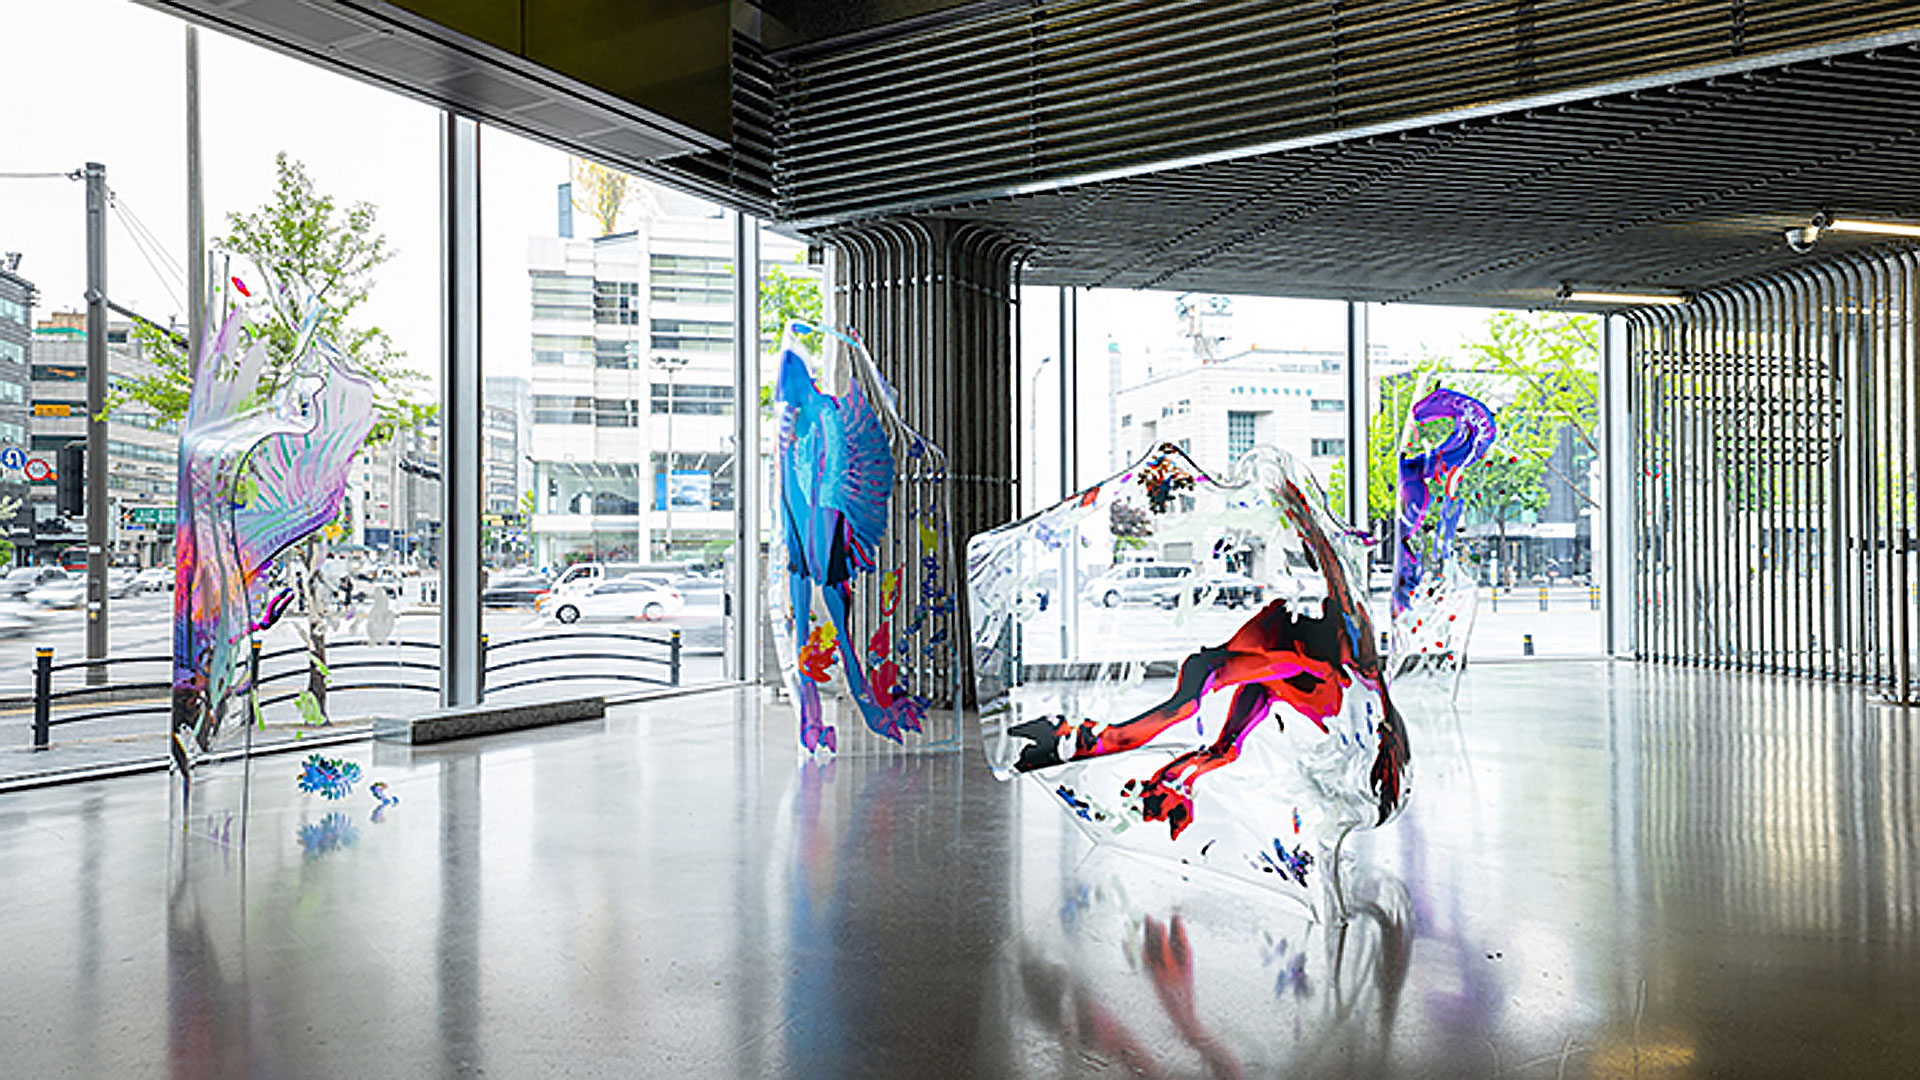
{"x": 1172, "y": 983}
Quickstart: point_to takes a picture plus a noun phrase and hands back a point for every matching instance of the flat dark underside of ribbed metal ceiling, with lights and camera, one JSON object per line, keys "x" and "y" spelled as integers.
{"x": 1679, "y": 187}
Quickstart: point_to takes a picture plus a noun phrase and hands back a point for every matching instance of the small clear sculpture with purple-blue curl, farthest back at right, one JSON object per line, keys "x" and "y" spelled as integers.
{"x": 1435, "y": 595}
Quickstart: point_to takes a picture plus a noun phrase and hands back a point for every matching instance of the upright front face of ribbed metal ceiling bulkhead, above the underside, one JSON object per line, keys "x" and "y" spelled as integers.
{"x": 1030, "y": 97}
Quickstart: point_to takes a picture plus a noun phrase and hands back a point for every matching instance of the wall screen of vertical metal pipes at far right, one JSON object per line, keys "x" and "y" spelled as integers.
{"x": 1777, "y": 437}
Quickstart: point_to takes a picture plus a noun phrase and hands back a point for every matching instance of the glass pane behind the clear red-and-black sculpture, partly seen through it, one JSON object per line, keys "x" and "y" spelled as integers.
{"x": 1211, "y": 376}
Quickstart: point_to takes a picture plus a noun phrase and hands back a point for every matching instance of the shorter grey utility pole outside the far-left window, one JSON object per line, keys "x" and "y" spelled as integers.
{"x": 97, "y": 424}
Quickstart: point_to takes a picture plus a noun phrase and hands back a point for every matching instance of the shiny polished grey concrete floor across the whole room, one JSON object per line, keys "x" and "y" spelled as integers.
{"x": 1606, "y": 871}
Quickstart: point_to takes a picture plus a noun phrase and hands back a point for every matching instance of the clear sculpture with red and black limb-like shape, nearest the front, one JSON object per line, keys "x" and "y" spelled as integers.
{"x": 1118, "y": 666}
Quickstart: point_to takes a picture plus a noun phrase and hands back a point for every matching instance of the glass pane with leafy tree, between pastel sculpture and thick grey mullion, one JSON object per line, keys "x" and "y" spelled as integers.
{"x": 289, "y": 147}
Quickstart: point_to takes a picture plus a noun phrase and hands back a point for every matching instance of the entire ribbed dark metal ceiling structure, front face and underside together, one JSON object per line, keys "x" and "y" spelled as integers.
{"x": 1276, "y": 147}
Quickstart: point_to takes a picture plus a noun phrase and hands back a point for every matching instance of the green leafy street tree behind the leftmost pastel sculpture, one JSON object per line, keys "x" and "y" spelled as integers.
{"x": 300, "y": 251}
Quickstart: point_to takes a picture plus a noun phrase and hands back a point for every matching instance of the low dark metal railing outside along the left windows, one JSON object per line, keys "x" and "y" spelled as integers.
{"x": 379, "y": 674}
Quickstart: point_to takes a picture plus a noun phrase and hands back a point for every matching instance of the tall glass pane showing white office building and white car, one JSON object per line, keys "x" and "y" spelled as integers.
{"x": 612, "y": 456}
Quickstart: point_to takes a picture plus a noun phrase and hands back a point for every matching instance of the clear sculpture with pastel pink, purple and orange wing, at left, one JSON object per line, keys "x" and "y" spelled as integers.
{"x": 256, "y": 478}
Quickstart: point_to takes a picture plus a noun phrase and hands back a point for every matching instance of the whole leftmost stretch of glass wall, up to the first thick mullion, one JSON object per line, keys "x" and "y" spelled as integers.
{"x": 283, "y": 143}
